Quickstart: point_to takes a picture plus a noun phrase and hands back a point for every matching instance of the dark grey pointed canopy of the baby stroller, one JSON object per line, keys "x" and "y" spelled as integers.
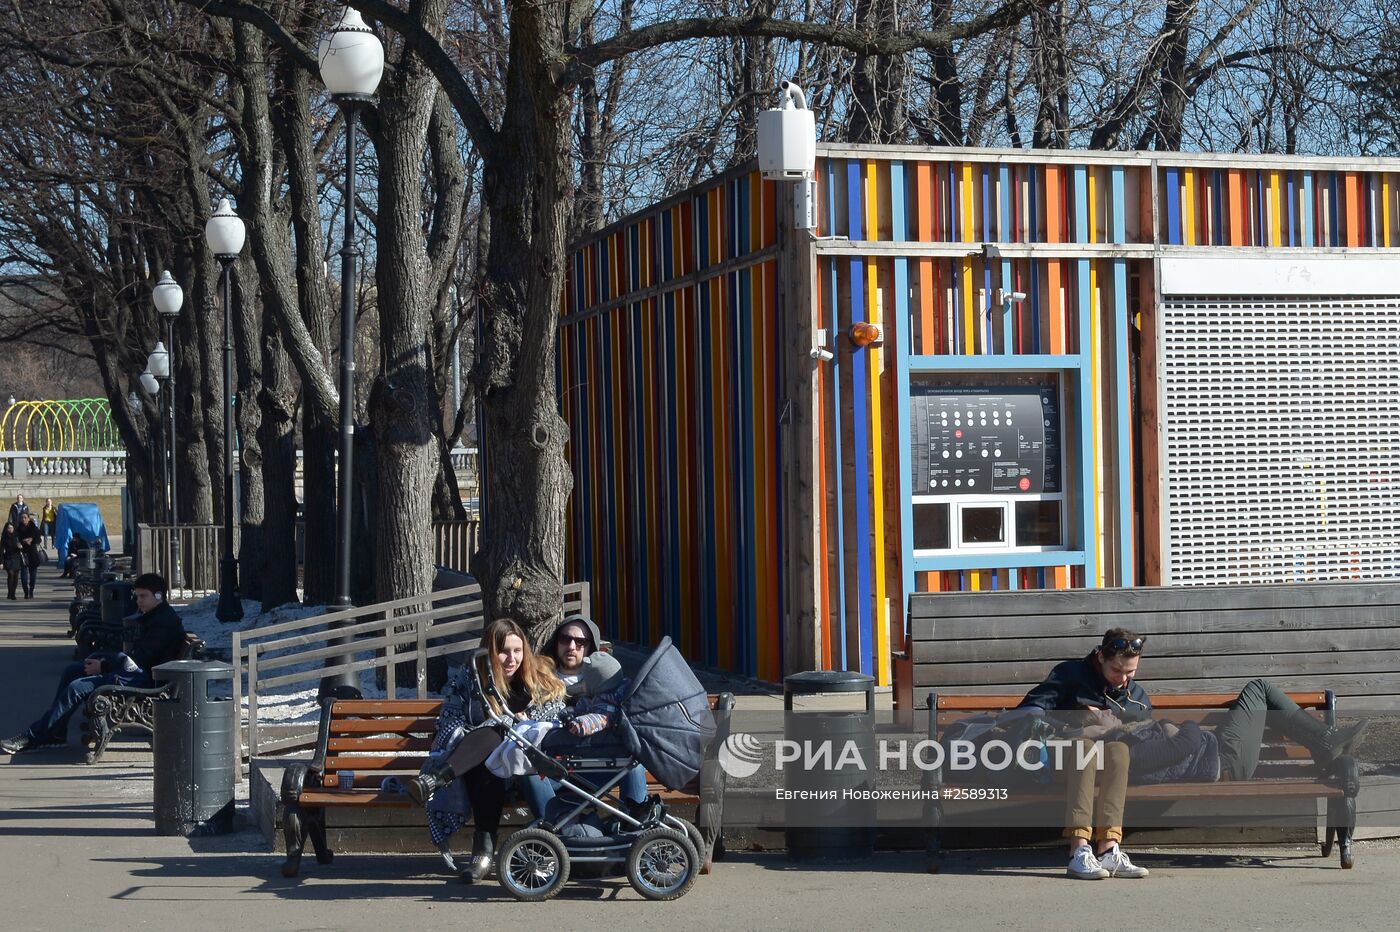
{"x": 666, "y": 717}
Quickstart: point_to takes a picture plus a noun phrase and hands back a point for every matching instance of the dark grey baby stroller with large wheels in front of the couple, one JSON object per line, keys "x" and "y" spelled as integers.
{"x": 666, "y": 724}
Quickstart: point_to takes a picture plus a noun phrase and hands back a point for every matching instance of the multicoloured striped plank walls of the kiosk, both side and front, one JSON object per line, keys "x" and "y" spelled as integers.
{"x": 670, "y": 370}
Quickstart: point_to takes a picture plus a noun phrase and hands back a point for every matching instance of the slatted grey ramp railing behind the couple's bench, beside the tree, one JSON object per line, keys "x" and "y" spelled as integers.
{"x": 387, "y": 635}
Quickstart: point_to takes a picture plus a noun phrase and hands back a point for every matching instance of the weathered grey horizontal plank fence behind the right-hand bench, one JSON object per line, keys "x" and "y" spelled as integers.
{"x": 1345, "y": 637}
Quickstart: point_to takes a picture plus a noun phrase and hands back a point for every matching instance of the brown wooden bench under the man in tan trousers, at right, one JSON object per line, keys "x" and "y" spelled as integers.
{"x": 1286, "y": 770}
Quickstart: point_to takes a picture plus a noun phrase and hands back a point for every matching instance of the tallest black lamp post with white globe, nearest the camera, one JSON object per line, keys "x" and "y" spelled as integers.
{"x": 352, "y": 64}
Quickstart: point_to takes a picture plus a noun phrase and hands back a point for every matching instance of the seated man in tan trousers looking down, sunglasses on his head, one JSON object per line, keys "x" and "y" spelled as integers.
{"x": 1102, "y": 684}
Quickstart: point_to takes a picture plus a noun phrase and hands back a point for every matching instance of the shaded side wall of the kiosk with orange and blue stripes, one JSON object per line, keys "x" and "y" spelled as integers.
{"x": 670, "y": 384}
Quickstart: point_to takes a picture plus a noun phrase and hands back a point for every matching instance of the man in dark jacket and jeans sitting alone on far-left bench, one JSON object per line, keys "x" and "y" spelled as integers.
{"x": 150, "y": 639}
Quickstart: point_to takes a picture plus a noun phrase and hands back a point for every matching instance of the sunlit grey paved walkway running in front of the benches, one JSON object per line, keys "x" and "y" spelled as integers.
{"x": 78, "y": 850}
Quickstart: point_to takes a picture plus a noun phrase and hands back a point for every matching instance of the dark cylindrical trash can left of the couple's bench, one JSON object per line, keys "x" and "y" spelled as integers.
{"x": 195, "y": 749}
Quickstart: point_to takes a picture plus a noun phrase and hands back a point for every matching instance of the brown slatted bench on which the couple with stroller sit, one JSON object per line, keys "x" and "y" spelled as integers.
{"x": 390, "y": 738}
